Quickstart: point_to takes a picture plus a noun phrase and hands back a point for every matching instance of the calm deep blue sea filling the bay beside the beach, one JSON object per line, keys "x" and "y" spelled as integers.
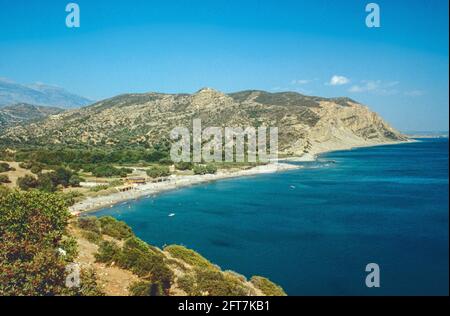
{"x": 314, "y": 230}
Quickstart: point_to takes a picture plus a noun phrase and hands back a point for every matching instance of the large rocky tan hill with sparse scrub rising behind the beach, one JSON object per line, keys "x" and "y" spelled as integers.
{"x": 306, "y": 124}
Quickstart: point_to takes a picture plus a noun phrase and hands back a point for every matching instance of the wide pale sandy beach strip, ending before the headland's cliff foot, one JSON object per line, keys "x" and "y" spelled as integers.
{"x": 174, "y": 182}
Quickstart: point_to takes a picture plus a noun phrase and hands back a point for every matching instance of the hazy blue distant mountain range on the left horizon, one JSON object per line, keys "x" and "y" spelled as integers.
{"x": 39, "y": 94}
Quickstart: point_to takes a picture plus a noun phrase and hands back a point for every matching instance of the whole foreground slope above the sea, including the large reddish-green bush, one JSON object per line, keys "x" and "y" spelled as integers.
{"x": 42, "y": 244}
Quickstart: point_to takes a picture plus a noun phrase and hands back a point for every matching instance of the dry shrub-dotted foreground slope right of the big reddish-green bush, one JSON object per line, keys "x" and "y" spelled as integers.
{"x": 126, "y": 265}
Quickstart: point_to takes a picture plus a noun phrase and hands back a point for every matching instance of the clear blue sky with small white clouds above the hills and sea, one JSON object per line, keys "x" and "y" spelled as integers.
{"x": 400, "y": 70}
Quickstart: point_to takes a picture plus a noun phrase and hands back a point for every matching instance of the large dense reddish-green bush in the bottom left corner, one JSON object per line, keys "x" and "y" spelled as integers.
{"x": 32, "y": 234}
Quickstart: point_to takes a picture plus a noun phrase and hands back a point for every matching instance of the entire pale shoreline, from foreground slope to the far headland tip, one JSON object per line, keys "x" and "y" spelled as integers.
{"x": 92, "y": 204}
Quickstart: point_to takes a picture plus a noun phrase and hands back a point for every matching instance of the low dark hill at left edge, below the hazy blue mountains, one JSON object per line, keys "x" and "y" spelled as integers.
{"x": 22, "y": 112}
